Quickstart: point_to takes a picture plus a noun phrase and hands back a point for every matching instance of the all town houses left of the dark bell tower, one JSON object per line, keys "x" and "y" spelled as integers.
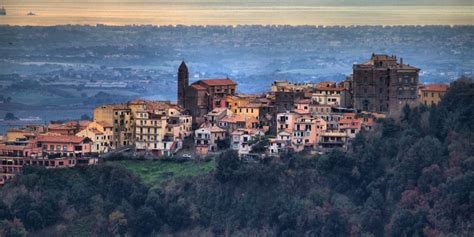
{"x": 155, "y": 127}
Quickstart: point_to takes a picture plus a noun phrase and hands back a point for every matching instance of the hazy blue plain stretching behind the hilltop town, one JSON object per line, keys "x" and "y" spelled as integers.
{"x": 100, "y": 64}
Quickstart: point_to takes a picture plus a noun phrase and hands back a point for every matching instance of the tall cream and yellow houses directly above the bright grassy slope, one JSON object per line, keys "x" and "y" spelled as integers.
{"x": 157, "y": 127}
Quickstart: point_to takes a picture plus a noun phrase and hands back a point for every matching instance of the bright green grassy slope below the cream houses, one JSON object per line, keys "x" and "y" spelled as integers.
{"x": 155, "y": 171}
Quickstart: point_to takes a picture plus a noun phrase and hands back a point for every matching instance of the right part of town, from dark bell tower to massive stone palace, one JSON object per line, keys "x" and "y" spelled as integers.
{"x": 301, "y": 116}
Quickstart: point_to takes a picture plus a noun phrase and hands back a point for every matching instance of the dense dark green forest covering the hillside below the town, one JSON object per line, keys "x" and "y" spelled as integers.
{"x": 413, "y": 175}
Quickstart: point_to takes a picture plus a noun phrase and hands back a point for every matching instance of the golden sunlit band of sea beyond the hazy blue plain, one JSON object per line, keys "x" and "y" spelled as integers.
{"x": 235, "y": 12}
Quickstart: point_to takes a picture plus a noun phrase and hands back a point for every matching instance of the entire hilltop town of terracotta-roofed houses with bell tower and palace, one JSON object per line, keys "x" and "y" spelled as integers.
{"x": 210, "y": 116}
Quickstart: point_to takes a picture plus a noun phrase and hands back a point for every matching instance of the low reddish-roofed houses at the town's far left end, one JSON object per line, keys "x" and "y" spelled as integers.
{"x": 50, "y": 146}
